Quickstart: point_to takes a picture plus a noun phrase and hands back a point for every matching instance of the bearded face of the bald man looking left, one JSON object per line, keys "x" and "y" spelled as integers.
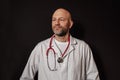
{"x": 61, "y": 22}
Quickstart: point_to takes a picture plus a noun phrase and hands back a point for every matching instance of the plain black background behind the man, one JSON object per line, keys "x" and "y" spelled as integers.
{"x": 23, "y": 23}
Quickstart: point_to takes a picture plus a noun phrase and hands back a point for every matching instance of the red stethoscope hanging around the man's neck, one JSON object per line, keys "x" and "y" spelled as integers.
{"x": 60, "y": 59}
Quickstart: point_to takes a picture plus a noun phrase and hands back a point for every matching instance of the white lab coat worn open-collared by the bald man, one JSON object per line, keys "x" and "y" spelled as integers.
{"x": 78, "y": 63}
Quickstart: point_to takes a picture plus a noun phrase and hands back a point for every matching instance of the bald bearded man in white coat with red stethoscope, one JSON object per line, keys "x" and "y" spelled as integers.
{"x": 61, "y": 57}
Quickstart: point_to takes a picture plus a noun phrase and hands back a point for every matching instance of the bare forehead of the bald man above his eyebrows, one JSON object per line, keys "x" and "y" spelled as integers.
{"x": 61, "y": 13}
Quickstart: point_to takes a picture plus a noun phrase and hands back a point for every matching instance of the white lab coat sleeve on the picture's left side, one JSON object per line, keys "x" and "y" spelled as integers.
{"x": 31, "y": 67}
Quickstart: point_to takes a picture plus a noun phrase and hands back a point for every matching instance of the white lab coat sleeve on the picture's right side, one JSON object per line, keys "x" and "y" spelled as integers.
{"x": 91, "y": 69}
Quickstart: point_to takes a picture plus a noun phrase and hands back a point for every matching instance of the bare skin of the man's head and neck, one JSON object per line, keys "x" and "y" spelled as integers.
{"x": 61, "y": 24}
